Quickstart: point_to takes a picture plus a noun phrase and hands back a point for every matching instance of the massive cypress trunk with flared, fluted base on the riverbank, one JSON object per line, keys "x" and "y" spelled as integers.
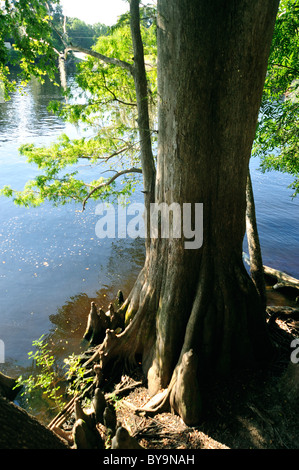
{"x": 195, "y": 314}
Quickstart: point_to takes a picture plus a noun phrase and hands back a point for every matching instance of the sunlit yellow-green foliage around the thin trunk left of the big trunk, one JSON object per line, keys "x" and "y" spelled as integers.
{"x": 103, "y": 101}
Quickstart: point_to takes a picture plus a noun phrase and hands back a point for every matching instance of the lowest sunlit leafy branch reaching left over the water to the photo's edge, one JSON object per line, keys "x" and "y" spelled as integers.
{"x": 60, "y": 165}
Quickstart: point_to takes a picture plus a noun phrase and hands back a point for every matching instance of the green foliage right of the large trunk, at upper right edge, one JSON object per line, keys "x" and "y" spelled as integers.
{"x": 277, "y": 137}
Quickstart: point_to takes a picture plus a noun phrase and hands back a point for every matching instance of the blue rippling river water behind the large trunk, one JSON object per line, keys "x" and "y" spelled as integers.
{"x": 51, "y": 262}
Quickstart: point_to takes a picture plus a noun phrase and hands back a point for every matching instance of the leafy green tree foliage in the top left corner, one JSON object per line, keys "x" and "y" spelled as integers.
{"x": 36, "y": 31}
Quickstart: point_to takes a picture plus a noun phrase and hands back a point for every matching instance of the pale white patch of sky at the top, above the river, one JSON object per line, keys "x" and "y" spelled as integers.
{"x": 95, "y": 11}
